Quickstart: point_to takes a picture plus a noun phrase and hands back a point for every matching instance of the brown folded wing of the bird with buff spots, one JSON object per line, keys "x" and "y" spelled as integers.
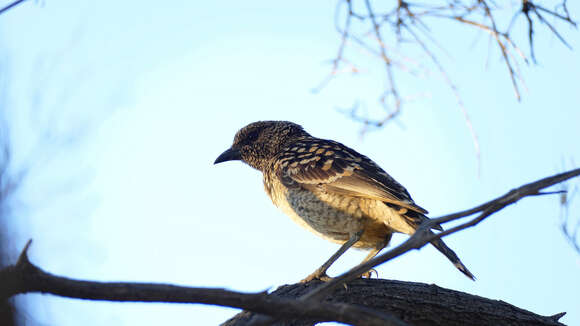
{"x": 338, "y": 169}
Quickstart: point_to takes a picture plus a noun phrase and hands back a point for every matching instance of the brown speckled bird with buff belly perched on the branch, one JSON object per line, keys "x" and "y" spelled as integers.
{"x": 330, "y": 190}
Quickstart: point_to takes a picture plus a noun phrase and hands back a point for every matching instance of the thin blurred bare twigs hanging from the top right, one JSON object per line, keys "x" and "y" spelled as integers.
{"x": 399, "y": 22}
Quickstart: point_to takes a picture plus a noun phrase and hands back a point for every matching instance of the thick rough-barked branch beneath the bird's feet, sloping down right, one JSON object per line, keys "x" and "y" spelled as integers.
{"x": 415, "y": 303}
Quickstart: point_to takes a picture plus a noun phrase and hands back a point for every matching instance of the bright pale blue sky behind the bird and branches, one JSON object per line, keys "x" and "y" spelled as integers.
{"x": 120, "y": 108}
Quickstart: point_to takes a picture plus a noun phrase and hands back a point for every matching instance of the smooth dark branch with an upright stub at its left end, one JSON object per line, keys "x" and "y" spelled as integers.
{"x": 25, "y": 277}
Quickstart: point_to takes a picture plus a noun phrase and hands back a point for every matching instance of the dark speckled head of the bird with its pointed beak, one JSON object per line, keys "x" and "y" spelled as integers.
{"x": 259, "y": 142}
